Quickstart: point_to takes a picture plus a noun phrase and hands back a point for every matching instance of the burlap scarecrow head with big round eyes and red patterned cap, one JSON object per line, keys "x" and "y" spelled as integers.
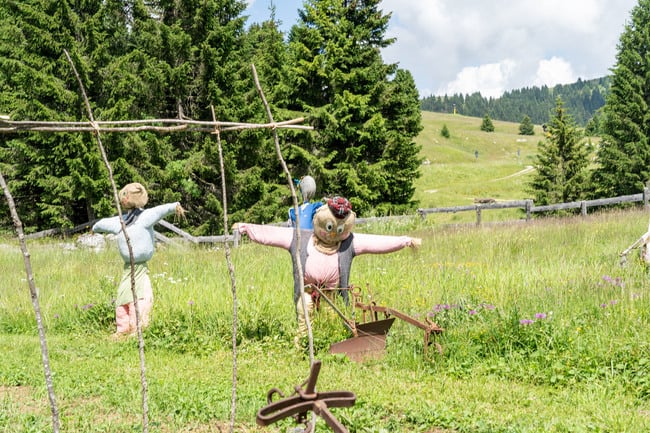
{"x": 333, "y": 224}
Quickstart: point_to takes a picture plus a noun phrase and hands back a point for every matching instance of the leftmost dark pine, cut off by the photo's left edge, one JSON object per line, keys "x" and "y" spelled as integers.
{"x": 55, "y": 178}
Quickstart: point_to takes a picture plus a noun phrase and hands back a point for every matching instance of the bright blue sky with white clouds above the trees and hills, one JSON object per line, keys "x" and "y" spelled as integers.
{"x": 465, "y": 46}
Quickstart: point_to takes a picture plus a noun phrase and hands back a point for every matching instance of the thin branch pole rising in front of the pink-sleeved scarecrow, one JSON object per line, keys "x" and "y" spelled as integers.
{"x": 295, "y": 207}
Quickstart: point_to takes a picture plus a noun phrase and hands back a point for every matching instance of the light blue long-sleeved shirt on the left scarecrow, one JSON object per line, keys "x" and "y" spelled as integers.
{"x": 140, "y": 232}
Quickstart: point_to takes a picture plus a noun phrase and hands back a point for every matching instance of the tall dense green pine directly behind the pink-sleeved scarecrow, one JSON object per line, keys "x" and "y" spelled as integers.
{"x": 366, "y": 122}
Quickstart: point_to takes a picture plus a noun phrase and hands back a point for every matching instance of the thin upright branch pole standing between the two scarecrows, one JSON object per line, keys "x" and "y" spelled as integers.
{"x": 231, "y": 272}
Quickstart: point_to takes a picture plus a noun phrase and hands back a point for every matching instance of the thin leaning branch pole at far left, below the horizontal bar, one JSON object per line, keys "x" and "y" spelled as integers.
{"x": 37, "y": 309}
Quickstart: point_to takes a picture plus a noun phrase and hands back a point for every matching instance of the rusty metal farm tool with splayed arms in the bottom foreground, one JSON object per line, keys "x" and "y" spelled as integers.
{"x": 305, "y": 400}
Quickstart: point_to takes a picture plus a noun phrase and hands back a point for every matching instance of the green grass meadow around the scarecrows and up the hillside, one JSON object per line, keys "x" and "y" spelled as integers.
{"x": 545, "y": 331}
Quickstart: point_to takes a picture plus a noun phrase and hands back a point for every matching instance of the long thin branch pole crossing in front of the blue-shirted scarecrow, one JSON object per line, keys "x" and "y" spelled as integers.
{"x": 143, "y": 377}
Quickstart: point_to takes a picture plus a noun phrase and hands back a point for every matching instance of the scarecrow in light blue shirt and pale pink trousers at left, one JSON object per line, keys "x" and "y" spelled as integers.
{"x": 139, "y": 224}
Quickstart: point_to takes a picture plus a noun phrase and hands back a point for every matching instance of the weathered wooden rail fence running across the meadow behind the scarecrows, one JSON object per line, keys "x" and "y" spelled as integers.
{"x": 478, "y": 208}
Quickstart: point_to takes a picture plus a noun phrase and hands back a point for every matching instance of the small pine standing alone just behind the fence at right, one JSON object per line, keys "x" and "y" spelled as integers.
{"x": 561, "y": 162}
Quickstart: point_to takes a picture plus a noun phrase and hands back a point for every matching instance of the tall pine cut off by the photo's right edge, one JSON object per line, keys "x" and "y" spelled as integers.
{"x": 624, "y": 154}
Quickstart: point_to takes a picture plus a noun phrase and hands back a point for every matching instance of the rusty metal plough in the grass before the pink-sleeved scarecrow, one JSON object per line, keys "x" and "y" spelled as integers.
{"x": 368, "y": 339}
